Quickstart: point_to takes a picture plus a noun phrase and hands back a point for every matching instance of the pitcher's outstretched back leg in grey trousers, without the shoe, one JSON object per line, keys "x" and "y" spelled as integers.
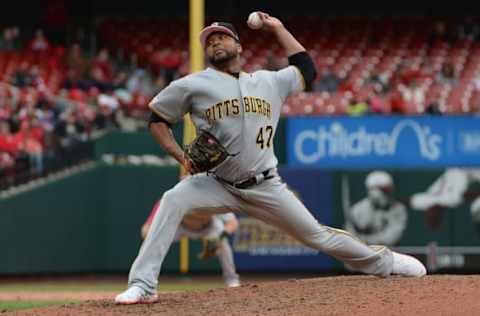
{"x": 285, "y": 211}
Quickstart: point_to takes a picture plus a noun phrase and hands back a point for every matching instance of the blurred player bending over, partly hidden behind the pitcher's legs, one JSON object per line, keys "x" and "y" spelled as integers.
{"x": 214, "y": 229}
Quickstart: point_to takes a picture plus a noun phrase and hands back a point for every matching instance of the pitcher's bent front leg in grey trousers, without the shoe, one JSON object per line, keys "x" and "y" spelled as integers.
{"x": 199, "y": 193}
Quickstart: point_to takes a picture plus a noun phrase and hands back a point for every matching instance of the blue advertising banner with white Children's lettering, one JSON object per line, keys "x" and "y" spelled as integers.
{"x": 397, "y": 142}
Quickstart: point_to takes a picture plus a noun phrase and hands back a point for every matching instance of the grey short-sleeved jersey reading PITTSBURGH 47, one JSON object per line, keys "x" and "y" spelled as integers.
{"x": 242, "y": 113}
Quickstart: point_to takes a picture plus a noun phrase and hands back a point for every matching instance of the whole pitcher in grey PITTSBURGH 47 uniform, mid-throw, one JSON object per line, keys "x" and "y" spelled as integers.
{"x": 242, "y": 111}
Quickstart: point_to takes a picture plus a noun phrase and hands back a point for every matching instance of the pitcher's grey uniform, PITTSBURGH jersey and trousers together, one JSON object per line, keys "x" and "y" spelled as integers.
{"x": 243, "y": 114}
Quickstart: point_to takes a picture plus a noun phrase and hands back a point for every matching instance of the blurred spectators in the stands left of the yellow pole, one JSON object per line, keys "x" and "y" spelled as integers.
{"x": 53, "y": 98}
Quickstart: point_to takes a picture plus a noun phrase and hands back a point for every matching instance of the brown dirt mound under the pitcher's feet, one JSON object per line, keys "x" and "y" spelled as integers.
{"x": 348, "y": 295}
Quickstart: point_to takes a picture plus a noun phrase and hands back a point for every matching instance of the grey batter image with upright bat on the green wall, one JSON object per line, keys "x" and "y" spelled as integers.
{"x": 378, "y": 218}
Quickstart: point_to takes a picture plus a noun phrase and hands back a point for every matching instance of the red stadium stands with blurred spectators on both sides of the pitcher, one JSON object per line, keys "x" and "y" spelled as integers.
{"x": 55, "y": 97}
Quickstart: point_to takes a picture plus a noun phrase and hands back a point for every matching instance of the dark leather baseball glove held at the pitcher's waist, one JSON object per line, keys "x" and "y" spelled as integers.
{"x": 205, "y": 152}
